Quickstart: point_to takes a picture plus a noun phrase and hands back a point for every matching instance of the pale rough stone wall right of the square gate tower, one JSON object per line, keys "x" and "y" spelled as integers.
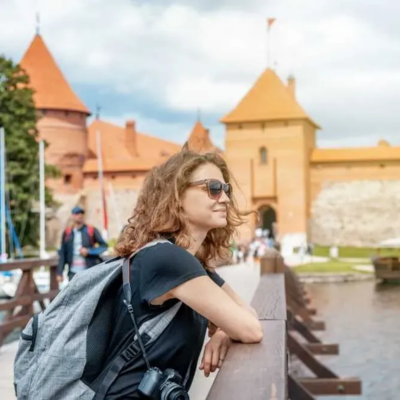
{"x": 356, "y": 213}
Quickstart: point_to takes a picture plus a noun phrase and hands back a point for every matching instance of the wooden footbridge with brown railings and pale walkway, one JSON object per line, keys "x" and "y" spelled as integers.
{"x": 258, "y": 372}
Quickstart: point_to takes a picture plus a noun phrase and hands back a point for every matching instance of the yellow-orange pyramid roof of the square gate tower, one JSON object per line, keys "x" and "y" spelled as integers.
{"x": 269, "y": 99}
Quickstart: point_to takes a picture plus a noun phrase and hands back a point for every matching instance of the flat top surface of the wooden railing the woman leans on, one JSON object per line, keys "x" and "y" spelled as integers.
{"x": 259, "y": 371}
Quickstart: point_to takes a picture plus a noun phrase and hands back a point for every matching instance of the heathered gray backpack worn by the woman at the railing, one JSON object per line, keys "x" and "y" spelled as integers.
{"x": 52, "y": 352}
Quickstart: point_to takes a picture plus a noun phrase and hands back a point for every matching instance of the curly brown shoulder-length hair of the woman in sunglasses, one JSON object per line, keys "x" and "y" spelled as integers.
{"x": 157, "y": 213}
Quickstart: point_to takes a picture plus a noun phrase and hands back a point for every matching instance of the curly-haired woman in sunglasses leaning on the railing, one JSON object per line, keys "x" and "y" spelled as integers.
{"x": 188, "y": 201}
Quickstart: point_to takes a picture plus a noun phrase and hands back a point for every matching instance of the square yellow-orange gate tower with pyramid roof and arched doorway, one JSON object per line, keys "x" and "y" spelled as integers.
{"x": 269, "y": 139}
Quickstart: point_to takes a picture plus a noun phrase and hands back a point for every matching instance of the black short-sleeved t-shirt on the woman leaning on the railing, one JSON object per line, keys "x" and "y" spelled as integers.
{"x": 154, "y": 272}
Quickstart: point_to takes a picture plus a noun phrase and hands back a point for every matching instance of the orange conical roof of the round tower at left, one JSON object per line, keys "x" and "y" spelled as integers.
{"x": 52, "y": 90}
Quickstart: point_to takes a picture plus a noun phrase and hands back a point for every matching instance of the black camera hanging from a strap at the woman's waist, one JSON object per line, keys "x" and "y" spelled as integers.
{"x": 158, "y": 385}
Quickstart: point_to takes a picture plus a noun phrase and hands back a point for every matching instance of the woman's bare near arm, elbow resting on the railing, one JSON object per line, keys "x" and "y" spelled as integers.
{"x": 209, "y": 300}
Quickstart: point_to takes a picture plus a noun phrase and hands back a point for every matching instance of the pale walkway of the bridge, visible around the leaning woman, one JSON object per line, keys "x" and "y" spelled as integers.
{"x": 244, "y": 280}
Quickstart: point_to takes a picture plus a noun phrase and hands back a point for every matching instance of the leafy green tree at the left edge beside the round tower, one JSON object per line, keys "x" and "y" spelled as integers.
{"x": 18, "y": 116}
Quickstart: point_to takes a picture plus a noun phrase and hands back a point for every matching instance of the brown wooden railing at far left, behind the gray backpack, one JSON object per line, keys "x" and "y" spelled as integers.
{"x": 21, "y": 307}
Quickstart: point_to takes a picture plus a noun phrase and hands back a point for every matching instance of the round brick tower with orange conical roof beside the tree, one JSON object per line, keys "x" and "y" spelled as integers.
{"x": 62, "y": 116}
